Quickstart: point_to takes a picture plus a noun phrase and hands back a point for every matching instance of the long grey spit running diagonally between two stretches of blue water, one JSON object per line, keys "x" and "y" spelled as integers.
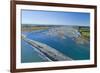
{"x": 51, "y": 53}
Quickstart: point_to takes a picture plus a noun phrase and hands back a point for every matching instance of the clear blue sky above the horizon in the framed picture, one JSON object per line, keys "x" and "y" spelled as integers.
{"x": 54, "y": 18}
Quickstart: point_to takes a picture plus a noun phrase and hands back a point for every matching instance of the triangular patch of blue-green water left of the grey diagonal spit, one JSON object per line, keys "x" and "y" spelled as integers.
{"x": 28, "y": 54}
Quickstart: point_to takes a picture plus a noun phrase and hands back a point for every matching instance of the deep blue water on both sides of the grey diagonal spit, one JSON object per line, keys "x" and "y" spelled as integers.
{"x": 66, "y": 46}
